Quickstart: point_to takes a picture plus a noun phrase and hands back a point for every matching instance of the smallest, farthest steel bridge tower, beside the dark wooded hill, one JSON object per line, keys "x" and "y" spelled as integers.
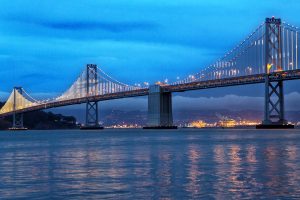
{"x": 17, "y": 117}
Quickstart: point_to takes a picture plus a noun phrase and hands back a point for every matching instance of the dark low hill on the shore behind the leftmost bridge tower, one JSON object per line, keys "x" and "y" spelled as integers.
{"x": 42, "y": 120}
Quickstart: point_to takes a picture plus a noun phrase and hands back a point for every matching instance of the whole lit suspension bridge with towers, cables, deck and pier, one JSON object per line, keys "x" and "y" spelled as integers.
{"x": 268, "y": 55}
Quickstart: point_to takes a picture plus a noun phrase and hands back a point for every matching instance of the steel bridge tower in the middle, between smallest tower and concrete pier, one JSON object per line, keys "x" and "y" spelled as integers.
{"x": 91, "y": 117}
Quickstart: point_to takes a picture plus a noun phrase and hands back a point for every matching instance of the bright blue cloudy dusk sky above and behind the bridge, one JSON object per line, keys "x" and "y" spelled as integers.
{"x": 44, "y": 45}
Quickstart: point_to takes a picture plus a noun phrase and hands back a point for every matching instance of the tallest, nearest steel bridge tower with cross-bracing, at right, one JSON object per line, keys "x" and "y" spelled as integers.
{"x": 274, "y": 95}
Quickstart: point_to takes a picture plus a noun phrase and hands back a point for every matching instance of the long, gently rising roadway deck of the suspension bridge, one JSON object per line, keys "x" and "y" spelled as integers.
{"x": 197, "y": 85}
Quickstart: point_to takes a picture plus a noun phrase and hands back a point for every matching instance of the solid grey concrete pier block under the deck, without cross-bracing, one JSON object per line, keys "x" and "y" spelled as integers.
{"x": 159, "y": 109}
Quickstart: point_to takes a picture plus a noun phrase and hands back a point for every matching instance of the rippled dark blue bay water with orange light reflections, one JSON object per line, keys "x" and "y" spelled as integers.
{"x": 141, "y": 164}
